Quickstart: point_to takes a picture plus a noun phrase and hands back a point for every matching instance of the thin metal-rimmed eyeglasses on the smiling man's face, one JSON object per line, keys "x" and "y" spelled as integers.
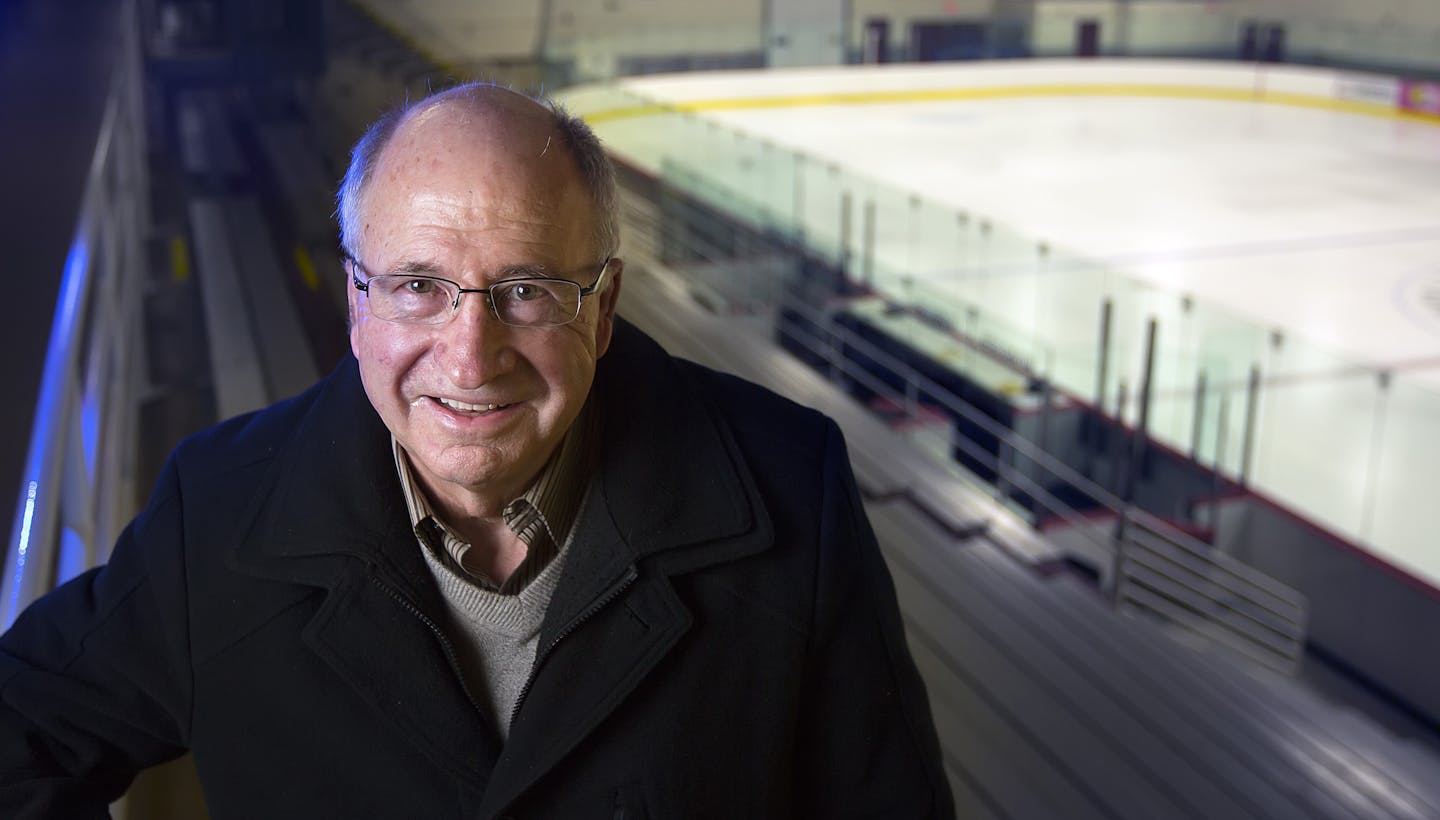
{"x": 523, "y": 302}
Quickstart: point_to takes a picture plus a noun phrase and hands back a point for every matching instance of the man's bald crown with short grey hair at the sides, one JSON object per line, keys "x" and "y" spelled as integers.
{"x": 509, "y": 126}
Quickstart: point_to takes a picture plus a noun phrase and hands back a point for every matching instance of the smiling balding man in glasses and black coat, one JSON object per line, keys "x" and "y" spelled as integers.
{"x": 512, "y": 560}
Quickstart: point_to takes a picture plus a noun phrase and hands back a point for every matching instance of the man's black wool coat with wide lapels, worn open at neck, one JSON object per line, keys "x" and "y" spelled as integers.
{"x": 724, "y": 643}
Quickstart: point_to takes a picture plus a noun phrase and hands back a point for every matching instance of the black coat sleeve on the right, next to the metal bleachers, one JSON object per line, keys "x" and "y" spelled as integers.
{"x": 869, "y": 746}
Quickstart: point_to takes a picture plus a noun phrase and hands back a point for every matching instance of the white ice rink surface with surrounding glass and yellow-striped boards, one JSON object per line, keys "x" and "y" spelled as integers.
{"x": 1261, "y": 221}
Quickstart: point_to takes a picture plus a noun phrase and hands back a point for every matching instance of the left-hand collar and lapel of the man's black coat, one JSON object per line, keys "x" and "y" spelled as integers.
{"x": 333, "y": 515}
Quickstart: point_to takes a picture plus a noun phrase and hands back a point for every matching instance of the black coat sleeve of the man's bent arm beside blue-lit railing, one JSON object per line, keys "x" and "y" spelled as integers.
{"x": 91, "y": 682}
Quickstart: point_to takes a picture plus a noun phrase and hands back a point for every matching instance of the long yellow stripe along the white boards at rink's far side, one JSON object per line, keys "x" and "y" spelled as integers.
{"x": 1006, "y": 93}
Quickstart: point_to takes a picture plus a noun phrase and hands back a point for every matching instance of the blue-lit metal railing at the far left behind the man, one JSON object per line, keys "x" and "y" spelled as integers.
{"x": 77, "y": 489}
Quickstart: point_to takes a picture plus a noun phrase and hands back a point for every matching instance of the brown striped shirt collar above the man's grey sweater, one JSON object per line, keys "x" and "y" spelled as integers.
{"x": 541, "y": 518}
